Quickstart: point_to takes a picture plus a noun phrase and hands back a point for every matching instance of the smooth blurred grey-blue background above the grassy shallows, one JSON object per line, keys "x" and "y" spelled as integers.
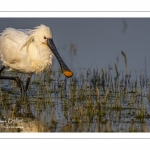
{"x": 87, "y": 43}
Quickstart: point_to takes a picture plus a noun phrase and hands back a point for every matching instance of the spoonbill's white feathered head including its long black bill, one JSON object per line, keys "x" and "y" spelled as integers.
{"x": 44, "y": 36}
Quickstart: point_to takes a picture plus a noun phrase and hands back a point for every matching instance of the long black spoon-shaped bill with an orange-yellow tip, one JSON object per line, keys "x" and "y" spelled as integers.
{"x": 65, "y": 70}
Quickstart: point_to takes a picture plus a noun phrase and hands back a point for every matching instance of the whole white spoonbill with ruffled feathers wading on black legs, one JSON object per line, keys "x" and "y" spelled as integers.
{"x": 28, "y": 51}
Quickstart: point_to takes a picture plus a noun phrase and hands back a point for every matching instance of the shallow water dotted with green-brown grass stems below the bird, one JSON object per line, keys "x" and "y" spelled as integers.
{"x": 93, "y": 102}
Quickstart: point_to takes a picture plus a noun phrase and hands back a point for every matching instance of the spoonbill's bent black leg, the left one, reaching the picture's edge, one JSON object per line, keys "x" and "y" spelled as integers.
{"x": 19, "y": 82}
